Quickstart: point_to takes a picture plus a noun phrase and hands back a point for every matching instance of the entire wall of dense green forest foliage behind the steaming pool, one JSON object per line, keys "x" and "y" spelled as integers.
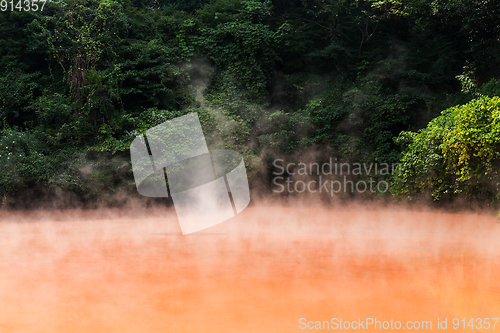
{"x": 81, "y": 79}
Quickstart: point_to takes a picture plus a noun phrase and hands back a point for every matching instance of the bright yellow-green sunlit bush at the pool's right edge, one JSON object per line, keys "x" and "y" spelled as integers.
{"x": 457, "y": 153}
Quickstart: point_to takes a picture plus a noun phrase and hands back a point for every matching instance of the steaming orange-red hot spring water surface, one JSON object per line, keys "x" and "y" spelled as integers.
{"x": 262, "y": 271}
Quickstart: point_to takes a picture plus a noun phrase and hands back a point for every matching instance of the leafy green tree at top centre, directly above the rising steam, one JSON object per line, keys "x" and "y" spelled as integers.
{"x": 239, "y": 41}
